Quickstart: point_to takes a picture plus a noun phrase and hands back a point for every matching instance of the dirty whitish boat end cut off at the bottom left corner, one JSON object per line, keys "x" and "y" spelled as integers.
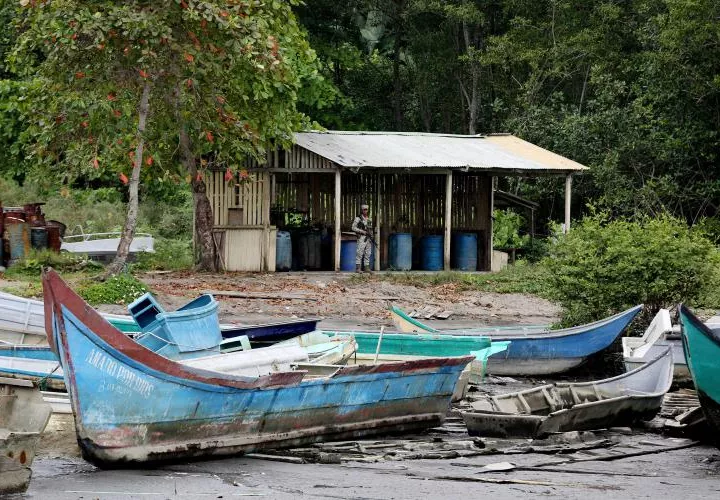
{"x": 23, "y": 417}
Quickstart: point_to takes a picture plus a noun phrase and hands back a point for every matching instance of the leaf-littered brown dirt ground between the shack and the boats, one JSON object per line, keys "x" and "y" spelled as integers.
{"x": 344, "y": 300}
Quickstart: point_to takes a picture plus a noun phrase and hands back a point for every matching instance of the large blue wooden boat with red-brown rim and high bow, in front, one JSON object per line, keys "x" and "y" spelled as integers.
{"x": 134, "y": 406}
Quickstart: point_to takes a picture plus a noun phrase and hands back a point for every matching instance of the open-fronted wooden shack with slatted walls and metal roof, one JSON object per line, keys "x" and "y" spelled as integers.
{"x": 415, "y": 183}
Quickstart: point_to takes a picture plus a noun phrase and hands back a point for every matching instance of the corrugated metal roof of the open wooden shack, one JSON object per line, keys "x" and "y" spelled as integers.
{"x": 420, "y": 150}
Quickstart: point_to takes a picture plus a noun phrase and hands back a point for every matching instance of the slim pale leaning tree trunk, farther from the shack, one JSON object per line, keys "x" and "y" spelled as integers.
{"x": 118, "y": 264}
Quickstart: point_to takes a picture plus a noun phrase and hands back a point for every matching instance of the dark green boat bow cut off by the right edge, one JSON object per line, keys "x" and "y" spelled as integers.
{"x": 701, "y": 344}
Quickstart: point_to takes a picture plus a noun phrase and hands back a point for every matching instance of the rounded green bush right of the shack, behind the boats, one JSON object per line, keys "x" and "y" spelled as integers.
{"x": 602, "y": 266}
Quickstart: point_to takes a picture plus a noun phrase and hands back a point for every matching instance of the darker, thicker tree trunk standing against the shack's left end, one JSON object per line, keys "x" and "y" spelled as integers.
{"x": 207, "y": 258}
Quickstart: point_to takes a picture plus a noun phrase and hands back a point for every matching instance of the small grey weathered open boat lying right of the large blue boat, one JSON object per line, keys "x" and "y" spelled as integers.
{"x": 621, "y": 400}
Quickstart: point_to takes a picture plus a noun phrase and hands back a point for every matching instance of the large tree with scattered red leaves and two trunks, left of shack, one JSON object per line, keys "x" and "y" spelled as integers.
{"x": 159, "y": 90}
